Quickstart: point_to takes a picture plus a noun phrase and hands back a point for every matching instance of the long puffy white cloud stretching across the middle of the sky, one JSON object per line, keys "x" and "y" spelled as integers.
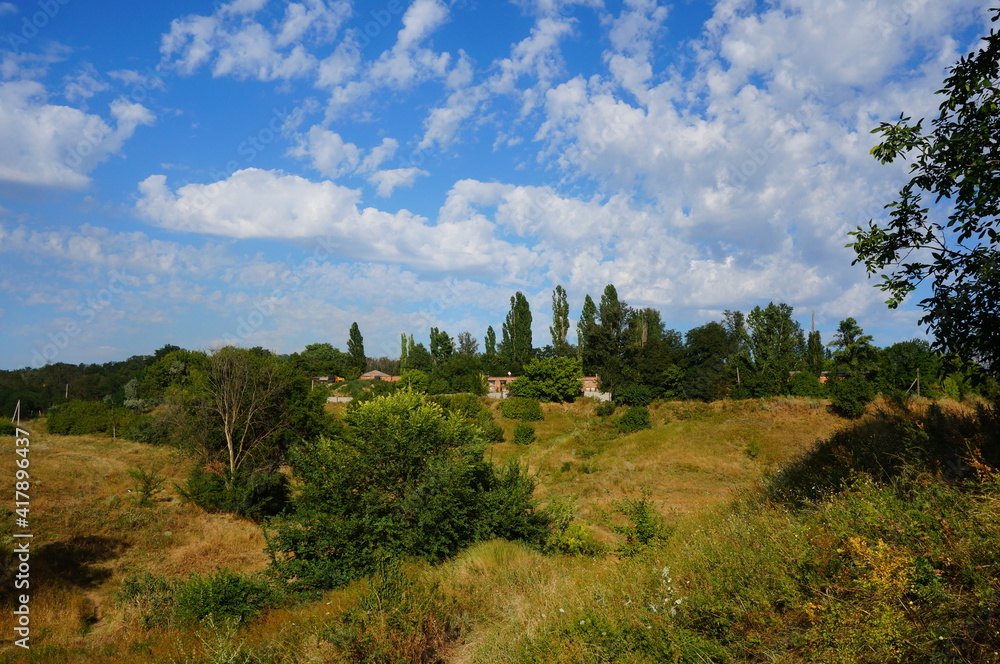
{"x": 254, "y": 203}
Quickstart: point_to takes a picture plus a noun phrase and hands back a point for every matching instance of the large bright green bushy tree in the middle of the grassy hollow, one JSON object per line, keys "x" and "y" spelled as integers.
{"x": 402, "y": 479}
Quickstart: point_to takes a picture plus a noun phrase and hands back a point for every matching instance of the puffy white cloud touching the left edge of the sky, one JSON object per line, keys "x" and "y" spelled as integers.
{"x": 44, "y": 144}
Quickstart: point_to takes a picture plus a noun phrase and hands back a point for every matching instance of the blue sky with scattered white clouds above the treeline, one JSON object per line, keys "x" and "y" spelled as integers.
{"x": 265, "y": 172}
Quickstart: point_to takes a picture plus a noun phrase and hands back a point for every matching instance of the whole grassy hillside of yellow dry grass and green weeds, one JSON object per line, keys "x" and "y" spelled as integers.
{"x": 893, "y": 562}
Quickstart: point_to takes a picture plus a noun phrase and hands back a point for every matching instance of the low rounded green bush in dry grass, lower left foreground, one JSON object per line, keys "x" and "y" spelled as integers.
{"x": 224, "y": 596}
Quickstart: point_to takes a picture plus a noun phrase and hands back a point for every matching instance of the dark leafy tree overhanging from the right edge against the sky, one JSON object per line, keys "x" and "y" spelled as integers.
{"x": 957, "y": 159}
